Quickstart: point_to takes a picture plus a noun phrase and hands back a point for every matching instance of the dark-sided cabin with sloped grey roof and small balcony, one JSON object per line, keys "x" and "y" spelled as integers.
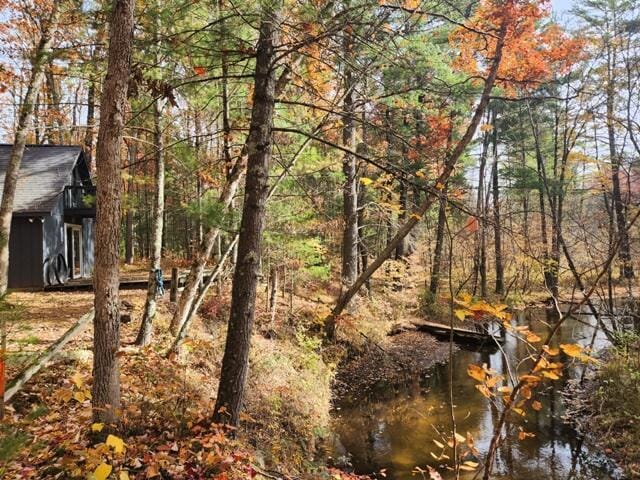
{"x": 52, "y": 229}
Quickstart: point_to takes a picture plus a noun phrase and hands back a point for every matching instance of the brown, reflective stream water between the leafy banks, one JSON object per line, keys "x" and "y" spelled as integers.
{"x": 394, "y": 432}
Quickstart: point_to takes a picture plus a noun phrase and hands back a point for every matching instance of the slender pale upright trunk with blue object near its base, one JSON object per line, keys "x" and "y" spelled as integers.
{"x": 146, "y": 327}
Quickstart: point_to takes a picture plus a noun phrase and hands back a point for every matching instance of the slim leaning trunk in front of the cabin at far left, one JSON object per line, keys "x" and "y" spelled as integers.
{"x": 25, "y": 117}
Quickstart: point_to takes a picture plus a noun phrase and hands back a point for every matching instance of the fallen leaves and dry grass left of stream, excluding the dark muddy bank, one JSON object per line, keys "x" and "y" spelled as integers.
{"x": 166, "y": 432}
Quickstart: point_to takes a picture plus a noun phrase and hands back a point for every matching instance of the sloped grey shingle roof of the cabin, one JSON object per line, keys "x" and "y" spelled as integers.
{"x": 44, "y": 172}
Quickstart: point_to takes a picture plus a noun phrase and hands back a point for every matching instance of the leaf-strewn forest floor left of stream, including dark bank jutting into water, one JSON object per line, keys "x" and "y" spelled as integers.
{"x": 167, "y": 403}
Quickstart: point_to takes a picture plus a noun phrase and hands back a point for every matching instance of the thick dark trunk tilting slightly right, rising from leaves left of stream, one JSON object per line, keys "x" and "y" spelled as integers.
{"x": 235, "y": 361}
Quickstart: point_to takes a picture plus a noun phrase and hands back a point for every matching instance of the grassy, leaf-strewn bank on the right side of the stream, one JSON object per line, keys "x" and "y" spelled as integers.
{"x": 605, "y": 407}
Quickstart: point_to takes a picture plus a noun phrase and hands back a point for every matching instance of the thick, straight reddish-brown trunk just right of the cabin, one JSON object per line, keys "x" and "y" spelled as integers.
{"x": 106, "y": 325}
